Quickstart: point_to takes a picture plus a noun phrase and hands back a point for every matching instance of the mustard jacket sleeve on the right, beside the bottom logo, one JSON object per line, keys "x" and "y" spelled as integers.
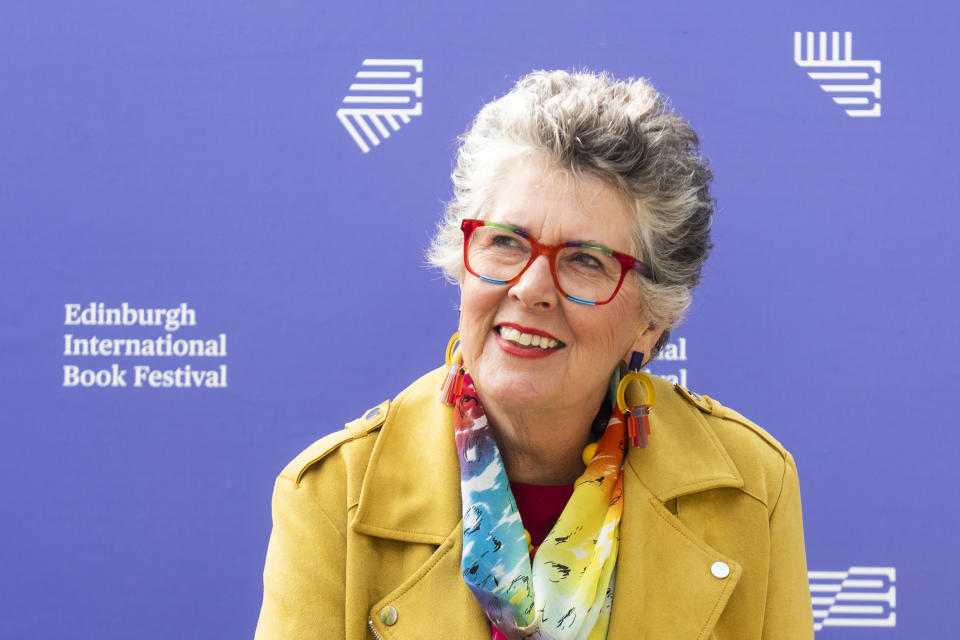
{"x": 788, "y": 614}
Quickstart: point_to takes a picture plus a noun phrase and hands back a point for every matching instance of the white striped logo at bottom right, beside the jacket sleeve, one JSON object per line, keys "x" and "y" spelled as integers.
{"x": 858, "y": 597}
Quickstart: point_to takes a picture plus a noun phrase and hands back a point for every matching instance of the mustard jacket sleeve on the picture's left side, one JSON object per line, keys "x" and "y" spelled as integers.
{"x": 304, "y": 574}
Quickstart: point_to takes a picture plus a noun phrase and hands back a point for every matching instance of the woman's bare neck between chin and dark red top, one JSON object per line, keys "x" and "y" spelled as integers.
{"x": 541, "y": 446}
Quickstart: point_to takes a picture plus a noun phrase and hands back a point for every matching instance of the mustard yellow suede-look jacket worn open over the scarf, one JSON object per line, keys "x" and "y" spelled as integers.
{"x": 367, "y": 531}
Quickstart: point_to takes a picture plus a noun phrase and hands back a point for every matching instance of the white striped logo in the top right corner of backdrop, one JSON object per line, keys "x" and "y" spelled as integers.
{"x": 839, "y": 73}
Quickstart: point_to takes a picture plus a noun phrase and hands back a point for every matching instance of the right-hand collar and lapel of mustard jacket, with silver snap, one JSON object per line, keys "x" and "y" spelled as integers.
{"x": 665, "y": 578}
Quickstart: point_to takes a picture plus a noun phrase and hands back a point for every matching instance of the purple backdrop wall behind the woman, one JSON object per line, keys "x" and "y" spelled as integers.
{"x": 182, "y": 152}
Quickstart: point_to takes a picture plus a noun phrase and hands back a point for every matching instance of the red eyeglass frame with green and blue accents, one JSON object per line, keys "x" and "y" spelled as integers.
{"x": 627, "y": 262}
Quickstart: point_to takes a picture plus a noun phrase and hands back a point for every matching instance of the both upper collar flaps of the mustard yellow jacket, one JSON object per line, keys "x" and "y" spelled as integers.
{"x": 411, "y": 491}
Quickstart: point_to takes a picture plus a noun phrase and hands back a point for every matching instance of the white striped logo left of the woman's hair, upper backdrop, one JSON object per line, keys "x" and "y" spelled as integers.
{"x": 384, "y": 93}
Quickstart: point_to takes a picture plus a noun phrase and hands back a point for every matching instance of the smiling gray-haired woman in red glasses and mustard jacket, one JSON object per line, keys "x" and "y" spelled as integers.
{"x": 541, "y": 485}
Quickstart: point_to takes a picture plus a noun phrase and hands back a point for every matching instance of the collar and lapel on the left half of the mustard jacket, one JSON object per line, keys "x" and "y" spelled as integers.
{"x": 411, "y": 493}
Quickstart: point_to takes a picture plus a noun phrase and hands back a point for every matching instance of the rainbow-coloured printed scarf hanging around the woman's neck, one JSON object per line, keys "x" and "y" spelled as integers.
{"x": 567, "y": 590}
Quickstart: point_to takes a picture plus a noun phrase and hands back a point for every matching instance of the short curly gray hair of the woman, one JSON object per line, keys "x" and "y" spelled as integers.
{"x": 621, "y": 132}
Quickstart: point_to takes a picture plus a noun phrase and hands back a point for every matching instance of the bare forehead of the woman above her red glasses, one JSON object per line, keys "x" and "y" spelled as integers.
{"x": 554, "y": 206}
